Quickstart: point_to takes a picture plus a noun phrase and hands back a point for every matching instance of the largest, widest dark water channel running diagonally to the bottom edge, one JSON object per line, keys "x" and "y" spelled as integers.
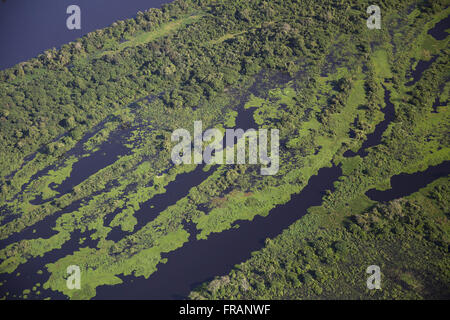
{"x": 200, "y": 260}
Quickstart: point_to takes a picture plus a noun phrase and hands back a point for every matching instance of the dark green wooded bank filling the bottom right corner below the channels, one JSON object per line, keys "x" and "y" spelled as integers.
{"x": 325, "y": 254}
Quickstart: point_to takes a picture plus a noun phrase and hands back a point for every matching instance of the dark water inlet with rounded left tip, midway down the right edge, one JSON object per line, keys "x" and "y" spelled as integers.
{"x": 405, "y": 184}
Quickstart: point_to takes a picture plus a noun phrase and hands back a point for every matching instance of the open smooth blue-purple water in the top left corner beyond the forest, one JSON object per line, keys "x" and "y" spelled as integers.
{"x": 29, "y": 27}
